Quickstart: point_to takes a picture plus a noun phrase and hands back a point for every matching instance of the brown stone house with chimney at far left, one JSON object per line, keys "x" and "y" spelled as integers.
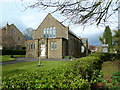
{"x": 11, "y": 37}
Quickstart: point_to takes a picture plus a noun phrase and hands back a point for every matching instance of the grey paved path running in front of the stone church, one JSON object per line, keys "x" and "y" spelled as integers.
{"x": 18, "y": 60}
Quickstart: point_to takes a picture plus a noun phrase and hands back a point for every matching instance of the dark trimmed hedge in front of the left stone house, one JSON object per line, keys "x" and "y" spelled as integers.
{"x": 13, "y": 52}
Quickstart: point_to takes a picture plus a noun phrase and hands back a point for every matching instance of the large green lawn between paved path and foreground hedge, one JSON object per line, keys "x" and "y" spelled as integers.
{"x": 19, "y": 68}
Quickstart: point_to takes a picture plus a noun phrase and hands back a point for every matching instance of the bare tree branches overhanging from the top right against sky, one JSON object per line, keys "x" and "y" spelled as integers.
{"x": 80, "y": 11}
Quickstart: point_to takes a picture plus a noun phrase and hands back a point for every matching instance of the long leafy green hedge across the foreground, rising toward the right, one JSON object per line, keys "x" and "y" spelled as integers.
{"x": 77, "y": 74}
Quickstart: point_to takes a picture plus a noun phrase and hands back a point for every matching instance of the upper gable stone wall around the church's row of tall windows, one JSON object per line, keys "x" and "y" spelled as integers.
{"x": 61, "y": 30}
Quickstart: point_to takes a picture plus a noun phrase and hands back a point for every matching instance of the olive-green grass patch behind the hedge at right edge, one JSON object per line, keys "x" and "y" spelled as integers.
{"x": 110, "y": 67}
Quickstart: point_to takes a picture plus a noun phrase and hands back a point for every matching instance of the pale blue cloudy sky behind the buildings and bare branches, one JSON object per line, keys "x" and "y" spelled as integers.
{"x": 13, "y": 13}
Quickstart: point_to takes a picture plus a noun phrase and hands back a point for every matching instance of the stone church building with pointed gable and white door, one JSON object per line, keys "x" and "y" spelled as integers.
{"x": 54, "y": 40}
